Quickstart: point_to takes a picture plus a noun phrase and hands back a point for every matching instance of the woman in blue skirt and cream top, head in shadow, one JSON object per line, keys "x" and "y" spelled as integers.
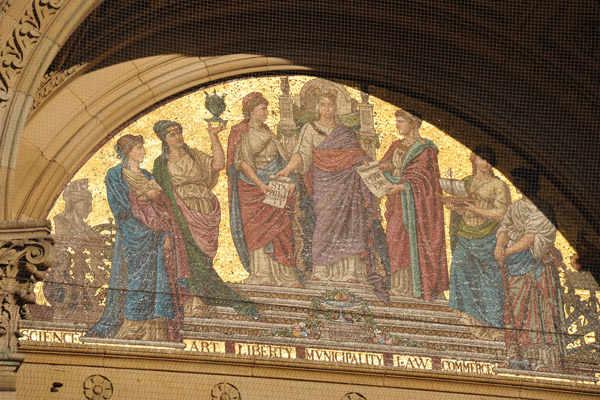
{"x": 475, "y": 278}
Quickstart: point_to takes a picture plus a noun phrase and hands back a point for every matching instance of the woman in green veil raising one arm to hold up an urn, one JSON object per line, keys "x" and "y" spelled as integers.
{"x": 187, "y": 177}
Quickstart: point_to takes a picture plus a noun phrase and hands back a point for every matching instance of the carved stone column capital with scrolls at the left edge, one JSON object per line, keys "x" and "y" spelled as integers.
{"x": 26, "y": 251}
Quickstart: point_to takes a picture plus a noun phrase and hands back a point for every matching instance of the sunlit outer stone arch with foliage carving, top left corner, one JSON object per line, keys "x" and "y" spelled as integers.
{"x": 36, "y": 30}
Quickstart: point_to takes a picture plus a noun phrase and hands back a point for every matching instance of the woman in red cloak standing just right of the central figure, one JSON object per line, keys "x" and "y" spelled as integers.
{"x": 414, "y": 214}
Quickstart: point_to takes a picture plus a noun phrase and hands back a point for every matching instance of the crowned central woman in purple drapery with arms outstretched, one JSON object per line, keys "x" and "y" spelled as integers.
{"x": 327, "y": 154}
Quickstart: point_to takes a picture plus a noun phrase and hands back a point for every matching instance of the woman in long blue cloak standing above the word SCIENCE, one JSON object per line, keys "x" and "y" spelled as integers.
{"x": 149, "y": 274}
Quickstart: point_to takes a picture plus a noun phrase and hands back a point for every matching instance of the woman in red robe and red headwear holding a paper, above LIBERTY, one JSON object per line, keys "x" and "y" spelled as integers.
{"x": 262, "y": 232}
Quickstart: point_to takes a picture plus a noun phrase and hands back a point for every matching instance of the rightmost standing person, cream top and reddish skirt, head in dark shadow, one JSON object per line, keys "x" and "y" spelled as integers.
{"x": 534, "y": 311}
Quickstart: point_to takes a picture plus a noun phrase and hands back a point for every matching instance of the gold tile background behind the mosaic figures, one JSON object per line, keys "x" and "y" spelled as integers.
{"x": 190, "y": 112}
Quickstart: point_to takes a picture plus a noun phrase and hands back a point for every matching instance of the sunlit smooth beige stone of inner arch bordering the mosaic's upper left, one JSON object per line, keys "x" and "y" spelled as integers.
{"x": 87, "y": 109}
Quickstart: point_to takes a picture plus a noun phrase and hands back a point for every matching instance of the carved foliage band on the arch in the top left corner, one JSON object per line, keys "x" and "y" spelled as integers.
{"x": 26, "y": 33}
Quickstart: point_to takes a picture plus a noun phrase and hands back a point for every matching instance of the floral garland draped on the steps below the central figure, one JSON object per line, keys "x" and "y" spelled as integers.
{"x": 311, "y": 326}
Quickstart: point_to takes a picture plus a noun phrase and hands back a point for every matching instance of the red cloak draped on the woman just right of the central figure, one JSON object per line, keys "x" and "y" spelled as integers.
{"x": 415, "y": 221}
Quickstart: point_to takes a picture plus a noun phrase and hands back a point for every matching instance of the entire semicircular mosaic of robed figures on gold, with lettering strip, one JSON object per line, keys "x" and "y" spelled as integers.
{"x": 294, "y": 217}
